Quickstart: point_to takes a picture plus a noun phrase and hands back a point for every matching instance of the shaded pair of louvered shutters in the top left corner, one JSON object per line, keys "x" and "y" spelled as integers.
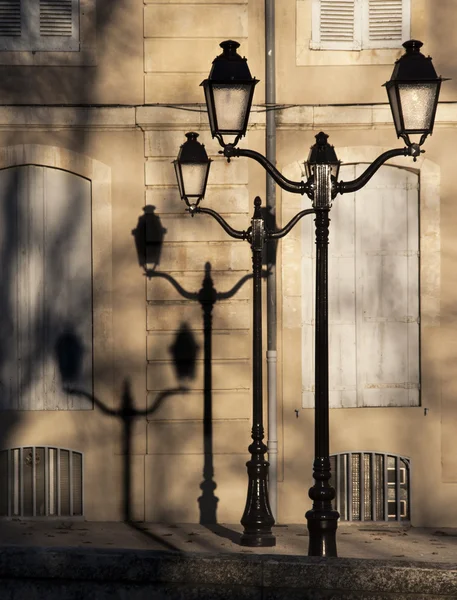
{"x": 39, "y": 25}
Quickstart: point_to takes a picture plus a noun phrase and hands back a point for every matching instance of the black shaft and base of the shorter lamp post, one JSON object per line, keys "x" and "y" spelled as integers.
{"x": 257, "y": 518}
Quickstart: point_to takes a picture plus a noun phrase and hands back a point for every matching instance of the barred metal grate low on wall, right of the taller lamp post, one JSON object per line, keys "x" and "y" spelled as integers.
{"x": 371, "y": 486}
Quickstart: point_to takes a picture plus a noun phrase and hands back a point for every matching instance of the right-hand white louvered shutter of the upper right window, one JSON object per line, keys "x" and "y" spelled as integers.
{"x": 386, "y": 23}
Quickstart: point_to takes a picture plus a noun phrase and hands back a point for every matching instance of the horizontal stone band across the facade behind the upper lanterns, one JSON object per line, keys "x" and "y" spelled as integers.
{"x": 179, "y": 117}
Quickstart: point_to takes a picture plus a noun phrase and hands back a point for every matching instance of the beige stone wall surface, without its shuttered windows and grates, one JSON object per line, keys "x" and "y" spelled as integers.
{"x": 151, "y": 58}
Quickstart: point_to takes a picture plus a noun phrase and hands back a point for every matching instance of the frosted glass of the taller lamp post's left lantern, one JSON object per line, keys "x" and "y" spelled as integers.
{"x": 231, "y": 103}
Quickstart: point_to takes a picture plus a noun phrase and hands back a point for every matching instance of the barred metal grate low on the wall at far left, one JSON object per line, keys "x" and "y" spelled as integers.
{"x": 41, "y": 482}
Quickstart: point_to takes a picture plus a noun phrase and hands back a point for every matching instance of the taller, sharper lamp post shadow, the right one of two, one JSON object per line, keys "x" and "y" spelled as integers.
{"x": 148, "y": 236}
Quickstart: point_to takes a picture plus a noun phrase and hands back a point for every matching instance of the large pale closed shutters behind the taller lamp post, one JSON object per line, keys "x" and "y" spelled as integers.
{"x": 373, "y": 294}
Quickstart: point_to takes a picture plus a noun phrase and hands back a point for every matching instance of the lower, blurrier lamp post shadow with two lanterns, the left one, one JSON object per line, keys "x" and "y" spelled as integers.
{"x": 69, "y": 357}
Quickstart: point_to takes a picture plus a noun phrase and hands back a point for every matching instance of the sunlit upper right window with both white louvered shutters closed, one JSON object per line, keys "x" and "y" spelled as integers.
{"x": 359, "y": 24}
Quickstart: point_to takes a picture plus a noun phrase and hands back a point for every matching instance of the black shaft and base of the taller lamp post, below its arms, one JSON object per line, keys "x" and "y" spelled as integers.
{"x": 322, "y": 519}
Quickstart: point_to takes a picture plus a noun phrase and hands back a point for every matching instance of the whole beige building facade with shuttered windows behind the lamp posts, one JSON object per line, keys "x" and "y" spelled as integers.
{"x": 125, "y": 354}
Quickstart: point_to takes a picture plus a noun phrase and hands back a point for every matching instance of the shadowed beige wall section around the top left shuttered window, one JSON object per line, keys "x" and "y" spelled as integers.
{"x": 109, "y": 70}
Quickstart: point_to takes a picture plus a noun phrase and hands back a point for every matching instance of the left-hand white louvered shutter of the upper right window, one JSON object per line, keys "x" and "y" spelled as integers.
{"x": 336, "y": 25}
